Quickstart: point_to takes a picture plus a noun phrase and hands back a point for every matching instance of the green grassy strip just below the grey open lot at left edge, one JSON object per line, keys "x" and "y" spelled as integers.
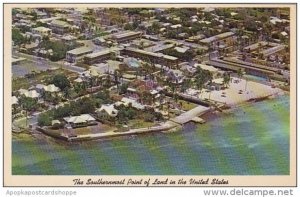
{"x": 44, "y": 76}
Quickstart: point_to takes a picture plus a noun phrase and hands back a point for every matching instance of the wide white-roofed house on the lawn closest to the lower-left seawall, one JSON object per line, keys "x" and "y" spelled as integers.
{"x": 79, "y": 121}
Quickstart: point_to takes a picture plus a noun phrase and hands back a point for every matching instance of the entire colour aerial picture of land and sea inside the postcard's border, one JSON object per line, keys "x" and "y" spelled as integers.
{"x": 124, "y": 73}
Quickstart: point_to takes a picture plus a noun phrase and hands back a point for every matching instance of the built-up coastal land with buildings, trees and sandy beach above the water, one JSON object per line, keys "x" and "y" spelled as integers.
{"x": 85, "y": 73}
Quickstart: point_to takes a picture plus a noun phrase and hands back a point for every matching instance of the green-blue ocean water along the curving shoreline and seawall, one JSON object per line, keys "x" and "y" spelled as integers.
{"x": 249, "y": 140}
